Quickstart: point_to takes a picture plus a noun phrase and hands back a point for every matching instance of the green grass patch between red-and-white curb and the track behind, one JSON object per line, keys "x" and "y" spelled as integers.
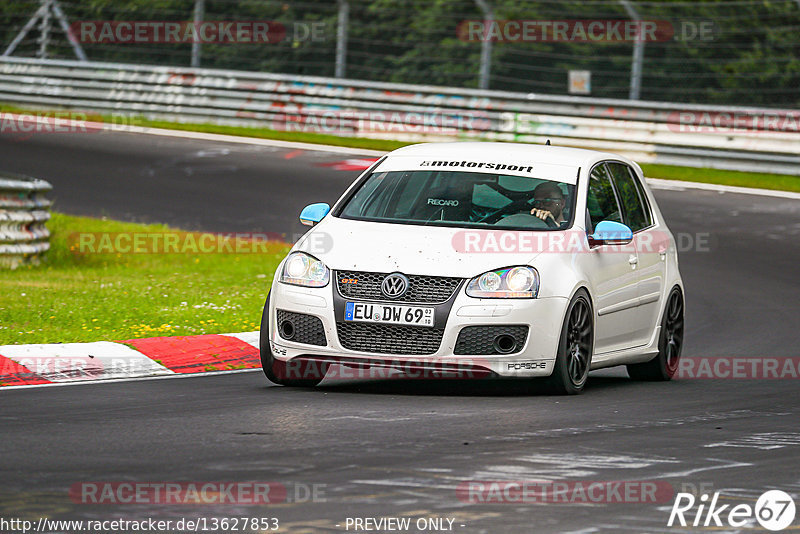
{"x": 74, "y": 297}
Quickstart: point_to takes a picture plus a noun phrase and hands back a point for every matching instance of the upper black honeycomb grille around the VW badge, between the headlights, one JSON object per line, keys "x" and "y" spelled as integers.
{"x": 421, "y": 289}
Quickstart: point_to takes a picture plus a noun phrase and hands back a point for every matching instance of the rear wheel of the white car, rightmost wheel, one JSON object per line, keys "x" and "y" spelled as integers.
{"x": 670, "y": 342}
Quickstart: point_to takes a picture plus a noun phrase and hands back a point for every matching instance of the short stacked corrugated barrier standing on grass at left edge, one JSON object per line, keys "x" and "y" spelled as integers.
{"x": 24, "y": 210}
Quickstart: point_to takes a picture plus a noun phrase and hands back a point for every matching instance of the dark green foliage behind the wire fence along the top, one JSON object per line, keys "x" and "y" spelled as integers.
{"x": 751, "y": 56}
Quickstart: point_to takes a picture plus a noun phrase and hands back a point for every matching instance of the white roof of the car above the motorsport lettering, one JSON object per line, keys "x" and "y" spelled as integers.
{"x": 547, "y": 154}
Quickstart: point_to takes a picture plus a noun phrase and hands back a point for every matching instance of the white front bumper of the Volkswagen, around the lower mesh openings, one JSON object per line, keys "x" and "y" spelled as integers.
{"x": 543, "y": 317}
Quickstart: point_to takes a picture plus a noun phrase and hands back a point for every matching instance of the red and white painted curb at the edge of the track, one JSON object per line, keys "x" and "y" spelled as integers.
{"x": 28, "y": 365}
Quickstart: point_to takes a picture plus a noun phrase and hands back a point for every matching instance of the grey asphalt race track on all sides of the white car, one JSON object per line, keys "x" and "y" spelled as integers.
{"x": 402, "y": 448}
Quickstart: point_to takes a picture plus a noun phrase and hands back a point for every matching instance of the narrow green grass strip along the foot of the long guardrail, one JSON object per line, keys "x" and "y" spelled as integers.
{"x": 666, "y": 172}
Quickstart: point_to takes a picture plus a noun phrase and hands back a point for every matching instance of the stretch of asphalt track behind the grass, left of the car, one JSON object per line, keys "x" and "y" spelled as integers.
{"x": 220, "y": 187}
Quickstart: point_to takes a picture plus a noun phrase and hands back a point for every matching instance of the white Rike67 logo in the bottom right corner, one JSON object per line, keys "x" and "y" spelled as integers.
{"x": 774, "y": 510}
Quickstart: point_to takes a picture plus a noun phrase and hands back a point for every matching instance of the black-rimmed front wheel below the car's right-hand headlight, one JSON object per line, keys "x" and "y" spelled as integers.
{"x": 575, "y": 347}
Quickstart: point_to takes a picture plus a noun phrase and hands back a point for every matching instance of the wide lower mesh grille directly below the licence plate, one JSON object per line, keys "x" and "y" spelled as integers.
{"x": 389, "y": 339}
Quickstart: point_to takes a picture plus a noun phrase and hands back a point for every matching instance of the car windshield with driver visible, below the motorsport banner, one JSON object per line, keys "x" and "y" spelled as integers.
{"x": 462, "y": 199}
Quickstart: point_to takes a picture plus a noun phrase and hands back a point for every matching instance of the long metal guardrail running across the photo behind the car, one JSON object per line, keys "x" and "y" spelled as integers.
{"x": 750, "y": 139}
